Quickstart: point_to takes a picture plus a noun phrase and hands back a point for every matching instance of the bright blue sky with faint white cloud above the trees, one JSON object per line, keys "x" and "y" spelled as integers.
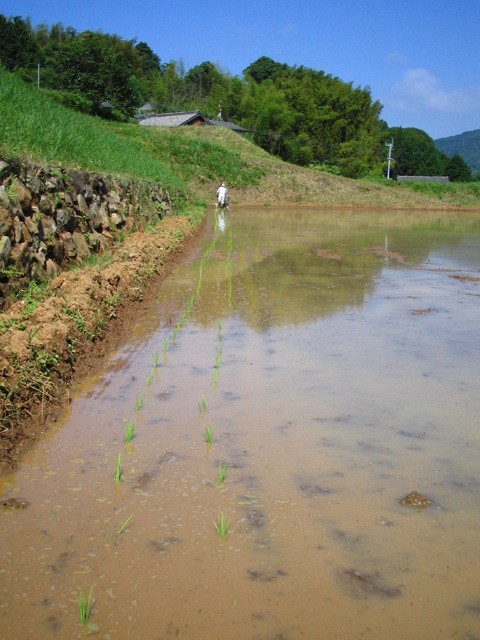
{"x": 420, "y": 58}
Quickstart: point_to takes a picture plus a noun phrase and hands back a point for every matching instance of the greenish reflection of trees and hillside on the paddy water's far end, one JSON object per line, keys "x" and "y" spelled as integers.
{"x": 290, "y": 268}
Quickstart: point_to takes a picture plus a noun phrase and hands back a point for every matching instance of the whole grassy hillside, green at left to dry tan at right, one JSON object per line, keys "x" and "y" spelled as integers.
{"x": 190, "y": 161}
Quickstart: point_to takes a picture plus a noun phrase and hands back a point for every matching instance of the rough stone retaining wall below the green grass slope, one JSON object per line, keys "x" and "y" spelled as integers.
{"x": 51, "y": 217}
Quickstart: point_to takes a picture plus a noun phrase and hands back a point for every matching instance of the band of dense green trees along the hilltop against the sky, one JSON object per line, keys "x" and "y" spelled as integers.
{"x": 303, "y": 115}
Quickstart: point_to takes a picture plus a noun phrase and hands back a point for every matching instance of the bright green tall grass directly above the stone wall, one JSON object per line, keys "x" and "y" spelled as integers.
{"x": 35, "y": 127}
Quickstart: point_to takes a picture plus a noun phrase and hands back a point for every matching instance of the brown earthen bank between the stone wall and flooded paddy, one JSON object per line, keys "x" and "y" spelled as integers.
{"x": 49, "y": 339}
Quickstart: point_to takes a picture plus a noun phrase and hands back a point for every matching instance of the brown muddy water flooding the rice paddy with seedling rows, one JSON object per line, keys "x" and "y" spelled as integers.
{"x": 334, "y": 355}
